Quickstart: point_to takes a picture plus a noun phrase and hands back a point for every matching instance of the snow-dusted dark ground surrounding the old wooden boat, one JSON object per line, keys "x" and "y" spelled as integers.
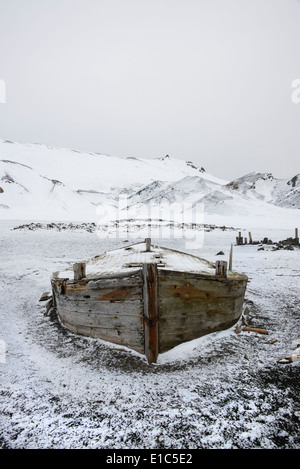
{"x": 226, "y": 390}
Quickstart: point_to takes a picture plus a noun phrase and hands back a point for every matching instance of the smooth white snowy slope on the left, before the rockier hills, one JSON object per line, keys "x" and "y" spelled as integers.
{"x": 42, "y": 182}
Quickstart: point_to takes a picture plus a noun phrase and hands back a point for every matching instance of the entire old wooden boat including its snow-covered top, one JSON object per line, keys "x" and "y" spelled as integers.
{"x": 148, "y": 298}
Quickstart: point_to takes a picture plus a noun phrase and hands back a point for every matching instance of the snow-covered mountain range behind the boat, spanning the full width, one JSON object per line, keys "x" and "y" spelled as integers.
{"x": 38, "y": 182}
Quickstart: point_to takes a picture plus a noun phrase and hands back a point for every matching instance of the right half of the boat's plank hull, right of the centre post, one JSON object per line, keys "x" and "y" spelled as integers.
{"x": 192, "y": 305}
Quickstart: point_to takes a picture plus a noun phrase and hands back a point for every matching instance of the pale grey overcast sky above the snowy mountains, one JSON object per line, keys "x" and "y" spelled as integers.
{"x": 203, "y": 80}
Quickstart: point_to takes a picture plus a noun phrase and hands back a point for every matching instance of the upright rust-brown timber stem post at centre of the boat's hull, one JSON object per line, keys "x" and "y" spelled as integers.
{"x": 150, "y": 294}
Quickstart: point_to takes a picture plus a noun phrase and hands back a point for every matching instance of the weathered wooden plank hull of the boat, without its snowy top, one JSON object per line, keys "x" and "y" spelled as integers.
{"x": 150, "y": 310}
